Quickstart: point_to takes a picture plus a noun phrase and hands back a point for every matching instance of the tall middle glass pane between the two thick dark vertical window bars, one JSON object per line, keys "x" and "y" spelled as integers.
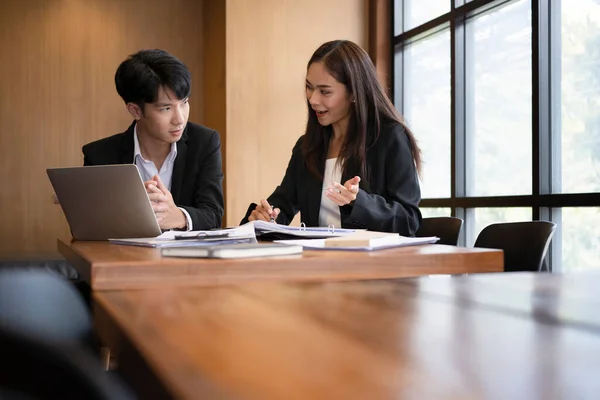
{"x": 499, "y": 102}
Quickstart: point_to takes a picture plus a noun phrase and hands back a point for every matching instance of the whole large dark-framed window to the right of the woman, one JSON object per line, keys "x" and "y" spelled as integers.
{"x": 504, "y": 98}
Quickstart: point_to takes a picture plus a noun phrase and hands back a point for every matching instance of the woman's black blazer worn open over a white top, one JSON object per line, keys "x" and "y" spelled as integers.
{"x": 388, "y": 199}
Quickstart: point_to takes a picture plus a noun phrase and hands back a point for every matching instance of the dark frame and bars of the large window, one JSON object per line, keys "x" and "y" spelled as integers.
{"x": 546, "y": 118}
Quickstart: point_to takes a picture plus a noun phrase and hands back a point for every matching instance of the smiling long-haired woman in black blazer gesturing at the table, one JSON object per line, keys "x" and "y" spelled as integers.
{"x": 354, "y": 135}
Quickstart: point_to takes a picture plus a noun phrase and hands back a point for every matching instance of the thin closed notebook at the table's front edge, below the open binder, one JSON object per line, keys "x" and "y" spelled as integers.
{"x": 233, "y": 251}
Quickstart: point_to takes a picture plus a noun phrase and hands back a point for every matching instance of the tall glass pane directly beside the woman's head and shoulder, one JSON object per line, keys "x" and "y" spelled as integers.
{"x": 426, "y": 104}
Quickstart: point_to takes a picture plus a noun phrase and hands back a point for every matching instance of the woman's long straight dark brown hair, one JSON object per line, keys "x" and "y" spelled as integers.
{"x": 350, "y": 65}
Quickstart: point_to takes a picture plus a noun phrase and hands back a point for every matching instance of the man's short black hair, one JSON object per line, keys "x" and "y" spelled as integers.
{"x": 142, "y": 74}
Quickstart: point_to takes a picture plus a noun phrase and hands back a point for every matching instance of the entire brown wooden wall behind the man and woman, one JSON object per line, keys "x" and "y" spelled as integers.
{"x": 247, "y": 59}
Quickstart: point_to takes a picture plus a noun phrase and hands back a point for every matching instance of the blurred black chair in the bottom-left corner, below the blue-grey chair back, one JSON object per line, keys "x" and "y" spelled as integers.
{"x": 36, "y": 368}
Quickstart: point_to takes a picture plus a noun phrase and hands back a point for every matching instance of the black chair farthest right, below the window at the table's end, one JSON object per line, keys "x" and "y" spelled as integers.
{"x": 525, "y": 244}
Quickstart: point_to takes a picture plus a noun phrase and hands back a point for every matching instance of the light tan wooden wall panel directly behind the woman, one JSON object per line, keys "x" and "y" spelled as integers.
{"x": 269, "y": 43}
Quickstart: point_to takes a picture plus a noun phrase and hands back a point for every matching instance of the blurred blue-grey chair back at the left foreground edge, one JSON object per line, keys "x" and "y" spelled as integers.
{"x": 40, "y": 303}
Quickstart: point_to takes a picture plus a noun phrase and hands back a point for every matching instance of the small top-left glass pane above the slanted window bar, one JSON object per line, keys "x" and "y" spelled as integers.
{"x": 417, "y": 12}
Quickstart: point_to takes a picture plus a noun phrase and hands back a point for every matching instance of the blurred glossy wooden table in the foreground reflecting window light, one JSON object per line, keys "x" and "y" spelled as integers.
{"x": 502, "y": 336}
